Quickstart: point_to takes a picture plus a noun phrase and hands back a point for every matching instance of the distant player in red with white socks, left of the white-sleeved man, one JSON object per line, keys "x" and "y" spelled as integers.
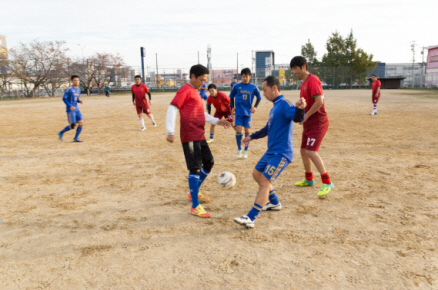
{"x": 139, "y": 91}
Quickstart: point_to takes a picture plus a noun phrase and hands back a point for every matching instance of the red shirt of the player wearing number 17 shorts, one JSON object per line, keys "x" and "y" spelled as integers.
{"x": 310, "y": 89}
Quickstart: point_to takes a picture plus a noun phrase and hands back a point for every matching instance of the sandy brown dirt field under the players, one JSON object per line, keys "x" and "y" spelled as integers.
{"x": 112, "y": 212}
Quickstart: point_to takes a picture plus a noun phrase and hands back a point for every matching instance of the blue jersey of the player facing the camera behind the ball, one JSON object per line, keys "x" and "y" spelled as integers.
{"x": 243, "y": 96}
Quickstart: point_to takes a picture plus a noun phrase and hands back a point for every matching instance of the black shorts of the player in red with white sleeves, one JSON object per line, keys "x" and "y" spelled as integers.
{"x": 197, "y": 153}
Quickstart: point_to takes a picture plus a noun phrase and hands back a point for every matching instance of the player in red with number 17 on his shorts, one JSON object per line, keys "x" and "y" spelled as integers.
{"x": 315, "y": 125}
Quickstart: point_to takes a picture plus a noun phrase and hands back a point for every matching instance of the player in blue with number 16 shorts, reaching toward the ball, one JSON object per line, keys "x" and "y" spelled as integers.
{"x": 280, "y": 152}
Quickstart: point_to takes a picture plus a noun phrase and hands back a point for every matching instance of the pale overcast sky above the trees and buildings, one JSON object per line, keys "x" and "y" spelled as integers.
{"x": 177, "y": 30}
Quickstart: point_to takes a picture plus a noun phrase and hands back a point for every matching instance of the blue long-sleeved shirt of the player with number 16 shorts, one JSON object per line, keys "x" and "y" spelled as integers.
{"x": 279, "y": 127}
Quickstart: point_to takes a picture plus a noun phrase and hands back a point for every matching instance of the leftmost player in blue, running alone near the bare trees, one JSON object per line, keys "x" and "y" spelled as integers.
{"x": 74, "y": 116}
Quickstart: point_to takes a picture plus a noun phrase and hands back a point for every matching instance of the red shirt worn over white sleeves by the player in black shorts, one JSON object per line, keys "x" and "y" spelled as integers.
{"x": 191, "y": 110}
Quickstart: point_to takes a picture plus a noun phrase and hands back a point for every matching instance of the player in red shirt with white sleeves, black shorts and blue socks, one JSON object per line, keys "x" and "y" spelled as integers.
{"x": 198, "y": 156}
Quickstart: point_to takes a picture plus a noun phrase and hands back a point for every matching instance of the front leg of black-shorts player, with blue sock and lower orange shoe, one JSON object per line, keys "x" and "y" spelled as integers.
{"x": 192, "y": 153}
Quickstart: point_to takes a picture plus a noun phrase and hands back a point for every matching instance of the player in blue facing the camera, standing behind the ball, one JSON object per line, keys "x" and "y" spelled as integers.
{"x": 242, "y": 97}
